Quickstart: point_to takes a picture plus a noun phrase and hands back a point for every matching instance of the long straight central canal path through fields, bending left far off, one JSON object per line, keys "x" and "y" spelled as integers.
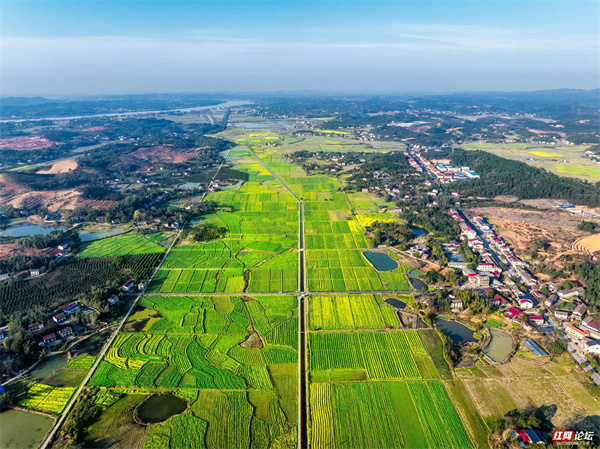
{"x": 302, "y": 302}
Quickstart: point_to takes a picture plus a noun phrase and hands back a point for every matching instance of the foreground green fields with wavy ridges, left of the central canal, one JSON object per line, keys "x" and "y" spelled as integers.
{"x": 233, "y": 359}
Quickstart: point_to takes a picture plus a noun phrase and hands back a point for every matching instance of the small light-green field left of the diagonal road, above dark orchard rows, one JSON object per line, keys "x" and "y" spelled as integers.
{"x": 120, "y": 246}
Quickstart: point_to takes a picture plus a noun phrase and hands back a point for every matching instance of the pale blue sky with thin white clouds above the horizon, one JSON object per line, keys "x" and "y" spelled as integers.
{"x": 54, "y": 47}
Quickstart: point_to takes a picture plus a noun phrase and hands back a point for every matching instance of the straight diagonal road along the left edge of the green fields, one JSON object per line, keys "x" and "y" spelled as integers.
{"x": 63, "y": 416}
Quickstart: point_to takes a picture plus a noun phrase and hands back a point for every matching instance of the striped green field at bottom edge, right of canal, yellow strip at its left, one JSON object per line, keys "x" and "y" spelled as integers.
{"x": 413, "y": 414}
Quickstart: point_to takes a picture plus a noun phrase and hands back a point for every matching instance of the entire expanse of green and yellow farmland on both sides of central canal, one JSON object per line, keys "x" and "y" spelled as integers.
{"x": 234, "y": 356}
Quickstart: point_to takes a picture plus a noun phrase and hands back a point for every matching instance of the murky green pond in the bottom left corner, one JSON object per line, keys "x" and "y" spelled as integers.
{"x": 20, "y": 430}
